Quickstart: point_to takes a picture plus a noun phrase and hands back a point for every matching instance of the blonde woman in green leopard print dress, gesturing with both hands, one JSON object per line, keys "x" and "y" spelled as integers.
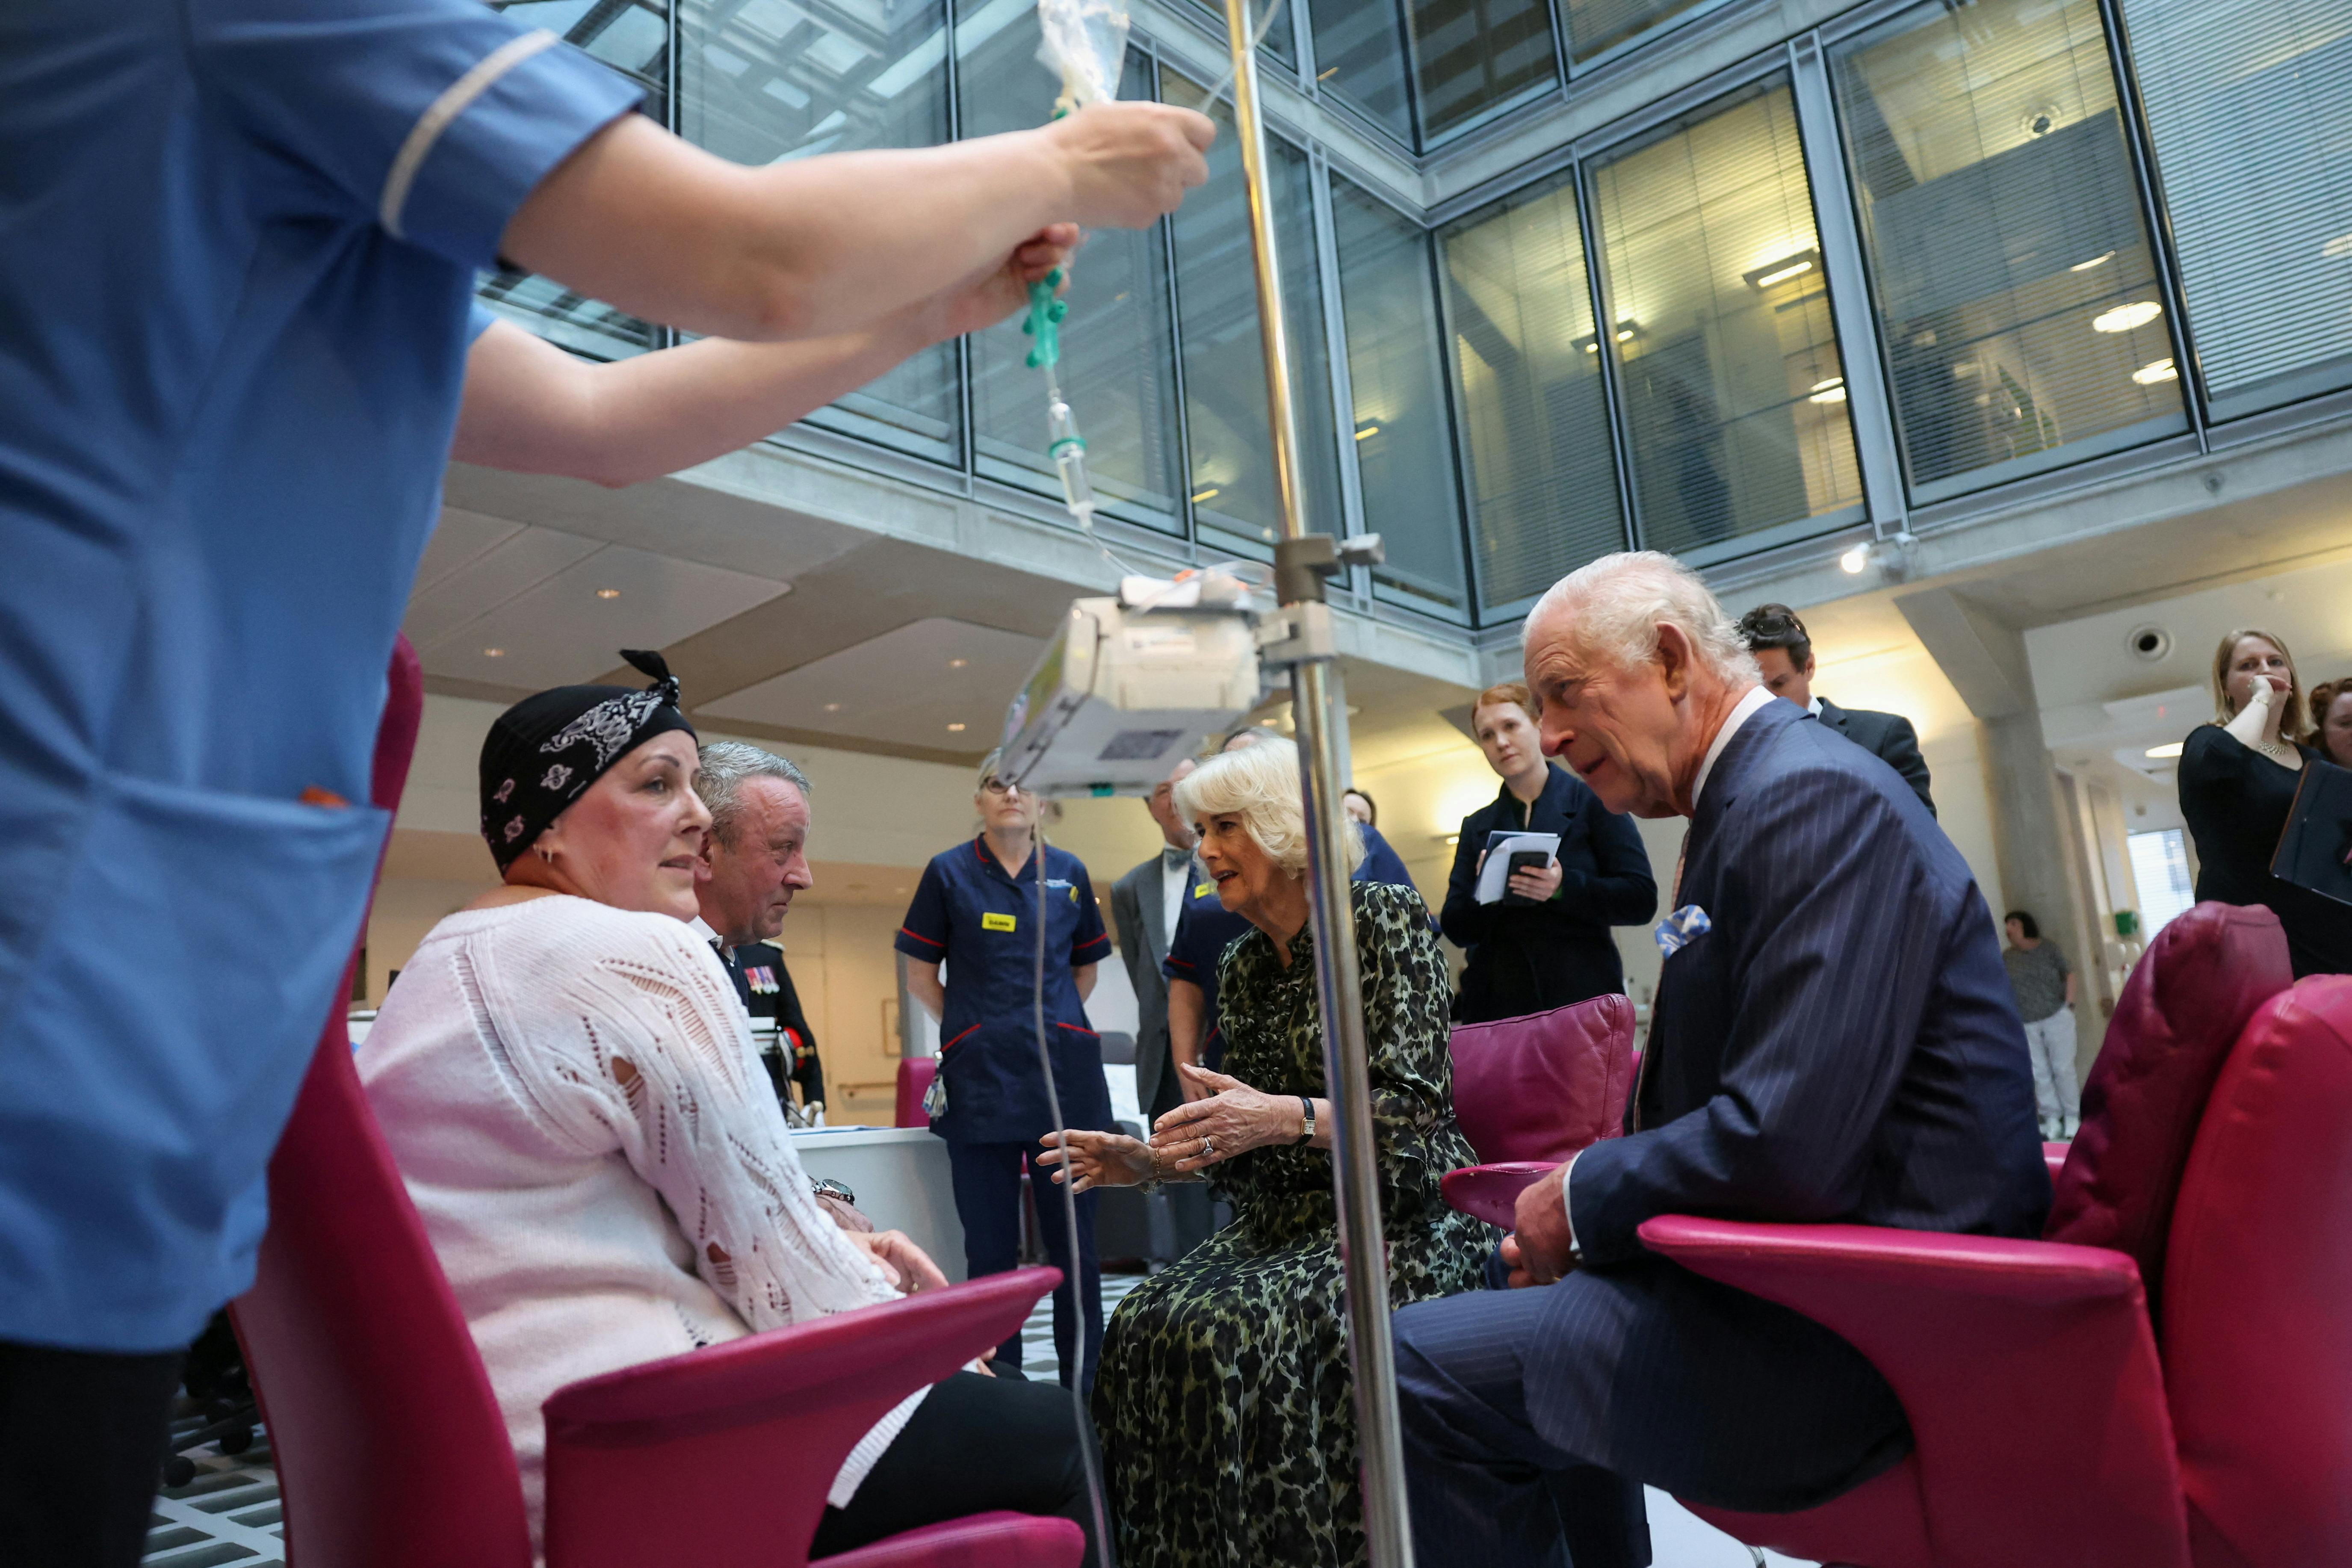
{"x": 1227, "y": 1402}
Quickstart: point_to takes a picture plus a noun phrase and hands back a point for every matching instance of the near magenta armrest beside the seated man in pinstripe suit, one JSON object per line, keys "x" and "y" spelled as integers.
{"x": 2029, "y": 1372}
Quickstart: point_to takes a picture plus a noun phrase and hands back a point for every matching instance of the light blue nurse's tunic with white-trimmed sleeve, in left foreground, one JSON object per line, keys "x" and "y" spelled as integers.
{"x": 239, "y": 243}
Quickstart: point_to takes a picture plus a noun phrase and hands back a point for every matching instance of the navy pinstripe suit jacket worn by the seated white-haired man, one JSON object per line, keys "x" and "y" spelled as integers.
{"x": 1843, "y": 1045}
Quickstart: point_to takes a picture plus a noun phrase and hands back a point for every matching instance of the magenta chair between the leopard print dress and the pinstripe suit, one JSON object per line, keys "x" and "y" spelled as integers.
{"x": 1532, "y": 1092}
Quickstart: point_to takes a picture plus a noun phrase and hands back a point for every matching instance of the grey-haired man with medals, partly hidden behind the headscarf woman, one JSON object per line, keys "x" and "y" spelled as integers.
{"x": 754, "y": 862}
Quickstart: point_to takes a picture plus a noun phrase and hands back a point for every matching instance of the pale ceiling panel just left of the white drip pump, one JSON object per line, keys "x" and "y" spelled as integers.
{"x": 900, "y": 688}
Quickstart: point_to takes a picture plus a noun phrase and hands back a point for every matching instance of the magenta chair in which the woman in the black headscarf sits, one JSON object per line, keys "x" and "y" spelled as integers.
{"x": 392, "y": 1452}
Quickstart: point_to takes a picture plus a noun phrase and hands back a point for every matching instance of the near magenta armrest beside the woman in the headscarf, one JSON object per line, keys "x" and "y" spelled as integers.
{"x": 726, "y": 1456}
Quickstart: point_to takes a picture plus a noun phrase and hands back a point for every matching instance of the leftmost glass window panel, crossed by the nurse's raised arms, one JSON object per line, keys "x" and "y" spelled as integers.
{"x": 632, "y": 39}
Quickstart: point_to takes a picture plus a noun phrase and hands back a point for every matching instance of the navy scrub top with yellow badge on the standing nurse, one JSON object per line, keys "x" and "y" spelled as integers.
{"x": 984, "y": 925}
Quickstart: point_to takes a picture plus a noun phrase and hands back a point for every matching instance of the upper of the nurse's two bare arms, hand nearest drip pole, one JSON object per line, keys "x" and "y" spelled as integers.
{"x": 646, "y": 222}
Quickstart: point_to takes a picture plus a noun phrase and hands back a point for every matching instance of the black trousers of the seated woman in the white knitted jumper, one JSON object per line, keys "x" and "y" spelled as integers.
{"x": 975, "y": 1445}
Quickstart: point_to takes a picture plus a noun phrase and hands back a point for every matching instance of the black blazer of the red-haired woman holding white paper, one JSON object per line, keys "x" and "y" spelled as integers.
{"x": 1535, "y": 958}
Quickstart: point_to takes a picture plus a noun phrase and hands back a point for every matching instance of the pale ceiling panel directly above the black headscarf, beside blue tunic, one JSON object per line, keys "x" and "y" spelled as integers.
{"x": 535, "y": 594}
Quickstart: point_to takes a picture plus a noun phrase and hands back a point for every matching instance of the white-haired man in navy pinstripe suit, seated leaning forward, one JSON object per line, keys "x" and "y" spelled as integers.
{"x": 1836, "y": 1040}
